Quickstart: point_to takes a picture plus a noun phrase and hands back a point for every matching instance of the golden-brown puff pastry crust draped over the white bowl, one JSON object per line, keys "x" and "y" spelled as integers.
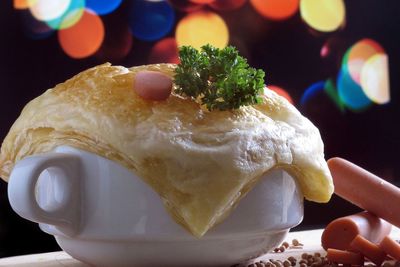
{"x": 201, "y": 163}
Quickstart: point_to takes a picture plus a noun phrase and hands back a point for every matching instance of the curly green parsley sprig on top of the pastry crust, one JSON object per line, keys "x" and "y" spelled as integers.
{"x": 218, "y": 78}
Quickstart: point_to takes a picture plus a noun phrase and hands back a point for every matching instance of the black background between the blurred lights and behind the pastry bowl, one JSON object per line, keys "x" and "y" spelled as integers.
{"x": 288, "y": 52}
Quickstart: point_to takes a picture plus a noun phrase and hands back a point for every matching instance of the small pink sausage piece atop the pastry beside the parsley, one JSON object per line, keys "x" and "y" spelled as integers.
{"x": 152, "y": 85}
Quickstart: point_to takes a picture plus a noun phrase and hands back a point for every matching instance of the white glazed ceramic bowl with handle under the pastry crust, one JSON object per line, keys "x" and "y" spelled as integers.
{"x": 102, "y": 214}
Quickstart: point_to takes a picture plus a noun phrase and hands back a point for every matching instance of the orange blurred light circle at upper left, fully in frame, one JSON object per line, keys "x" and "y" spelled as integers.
{"x": 84, "y": 38}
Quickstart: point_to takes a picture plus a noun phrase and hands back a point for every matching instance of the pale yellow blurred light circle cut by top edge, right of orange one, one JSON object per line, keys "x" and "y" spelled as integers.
{"x": 323, "y": 15}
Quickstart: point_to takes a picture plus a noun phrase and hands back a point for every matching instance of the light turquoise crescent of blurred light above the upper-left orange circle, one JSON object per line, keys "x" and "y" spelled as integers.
{"x": 71, "y": 15}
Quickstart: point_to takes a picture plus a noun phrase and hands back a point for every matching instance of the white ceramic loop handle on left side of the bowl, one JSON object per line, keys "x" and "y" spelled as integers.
{"x": 62, "y": 207}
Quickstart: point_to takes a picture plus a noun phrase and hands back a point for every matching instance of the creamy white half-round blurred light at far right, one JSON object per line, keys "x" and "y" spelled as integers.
{"x": 375, "y": 78}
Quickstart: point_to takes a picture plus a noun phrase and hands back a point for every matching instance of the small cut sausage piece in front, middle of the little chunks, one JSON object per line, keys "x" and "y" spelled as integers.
{"x": 370, "y": 250}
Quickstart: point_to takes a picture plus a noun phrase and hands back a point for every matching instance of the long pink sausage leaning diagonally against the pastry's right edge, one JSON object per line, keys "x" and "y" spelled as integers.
{"x": 365, "y": 190}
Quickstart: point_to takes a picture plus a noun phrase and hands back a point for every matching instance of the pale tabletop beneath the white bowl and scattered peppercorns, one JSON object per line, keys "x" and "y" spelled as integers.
{"x": 309, "y": 239}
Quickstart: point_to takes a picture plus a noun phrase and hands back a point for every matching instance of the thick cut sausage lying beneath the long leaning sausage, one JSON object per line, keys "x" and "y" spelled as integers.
{"x": 340, "y": 232}
